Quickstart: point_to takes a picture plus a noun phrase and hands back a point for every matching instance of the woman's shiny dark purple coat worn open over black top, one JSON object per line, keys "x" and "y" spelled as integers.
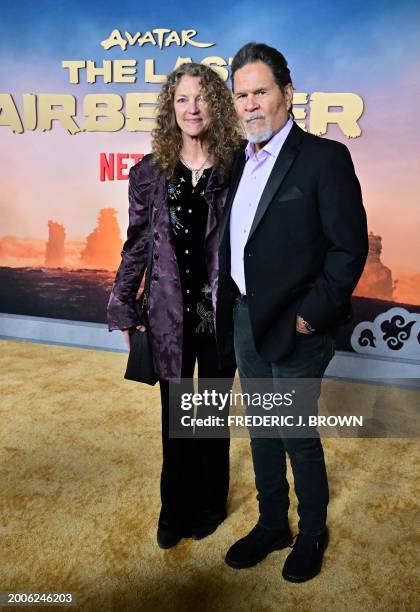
{"x": 148, "y": 186}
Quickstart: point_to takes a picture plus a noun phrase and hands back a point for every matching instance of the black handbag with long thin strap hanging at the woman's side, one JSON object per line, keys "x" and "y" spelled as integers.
{"x": 140, "y": 365}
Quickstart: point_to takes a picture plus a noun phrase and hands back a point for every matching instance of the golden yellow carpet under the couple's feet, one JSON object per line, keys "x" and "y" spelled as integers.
{"x": 80, "y": 463}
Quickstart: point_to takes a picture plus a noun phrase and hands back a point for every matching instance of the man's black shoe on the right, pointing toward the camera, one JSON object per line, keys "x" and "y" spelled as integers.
{"x": 305, "y": 560}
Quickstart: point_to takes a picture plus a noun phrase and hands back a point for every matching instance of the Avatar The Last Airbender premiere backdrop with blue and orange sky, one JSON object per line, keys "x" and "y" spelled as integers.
{"x": 78, "y": 83}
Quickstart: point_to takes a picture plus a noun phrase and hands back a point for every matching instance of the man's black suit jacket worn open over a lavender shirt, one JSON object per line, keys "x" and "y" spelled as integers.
{"x": 306, "y": 249}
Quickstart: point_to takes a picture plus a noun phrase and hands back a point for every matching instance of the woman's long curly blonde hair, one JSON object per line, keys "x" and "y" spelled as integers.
{"x": 223, "y": 136}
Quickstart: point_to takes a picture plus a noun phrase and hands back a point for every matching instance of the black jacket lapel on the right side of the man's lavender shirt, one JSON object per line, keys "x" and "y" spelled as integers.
{"x": 281, "y": 167}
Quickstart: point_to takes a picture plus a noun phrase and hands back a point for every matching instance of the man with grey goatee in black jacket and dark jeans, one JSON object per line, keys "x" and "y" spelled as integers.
{"x": 293, "y": 243}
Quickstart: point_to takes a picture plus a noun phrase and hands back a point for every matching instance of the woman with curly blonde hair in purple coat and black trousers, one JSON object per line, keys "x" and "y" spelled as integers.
{"x": 185, "y": 182}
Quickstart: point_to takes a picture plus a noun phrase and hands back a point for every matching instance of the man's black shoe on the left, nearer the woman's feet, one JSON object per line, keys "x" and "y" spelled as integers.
{"x": 254, "y": 547}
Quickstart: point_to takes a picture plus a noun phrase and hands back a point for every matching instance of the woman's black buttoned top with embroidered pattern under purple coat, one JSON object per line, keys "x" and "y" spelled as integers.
{"x": 188, "y": 210}
